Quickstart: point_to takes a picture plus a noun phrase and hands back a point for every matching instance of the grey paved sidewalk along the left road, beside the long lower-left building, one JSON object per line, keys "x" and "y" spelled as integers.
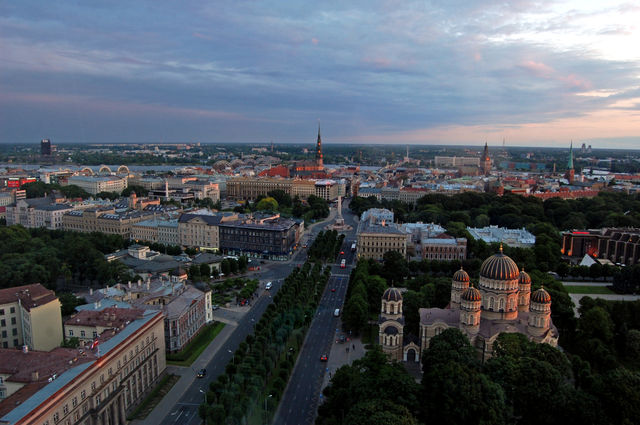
{"x": 187, "y": 377}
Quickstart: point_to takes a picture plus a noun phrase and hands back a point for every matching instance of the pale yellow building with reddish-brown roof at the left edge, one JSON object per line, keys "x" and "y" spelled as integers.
{"x": 30, "y": 315}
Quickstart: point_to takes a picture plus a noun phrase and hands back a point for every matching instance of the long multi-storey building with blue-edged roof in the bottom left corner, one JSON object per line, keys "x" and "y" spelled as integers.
{"x": 99, "y": 383}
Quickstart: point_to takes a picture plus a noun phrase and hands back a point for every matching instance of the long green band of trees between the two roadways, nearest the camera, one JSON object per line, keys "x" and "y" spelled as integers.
{"x": 262, "y": 363}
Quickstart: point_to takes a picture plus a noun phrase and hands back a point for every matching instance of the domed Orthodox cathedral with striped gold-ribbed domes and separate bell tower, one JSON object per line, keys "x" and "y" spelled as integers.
{"x": 503, "y": 302}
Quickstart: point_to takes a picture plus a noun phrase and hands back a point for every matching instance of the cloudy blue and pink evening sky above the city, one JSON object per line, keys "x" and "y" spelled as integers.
{"x": 529, "y": 73}
